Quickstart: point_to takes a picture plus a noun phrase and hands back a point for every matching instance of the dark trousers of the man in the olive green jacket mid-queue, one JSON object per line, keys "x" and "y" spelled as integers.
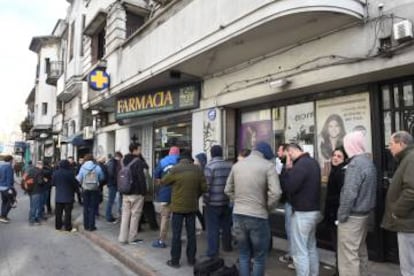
{"x": 177, "y": 225}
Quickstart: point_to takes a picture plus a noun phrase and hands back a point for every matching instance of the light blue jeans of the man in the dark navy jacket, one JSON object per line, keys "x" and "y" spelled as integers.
{"x": 303, "y": 242}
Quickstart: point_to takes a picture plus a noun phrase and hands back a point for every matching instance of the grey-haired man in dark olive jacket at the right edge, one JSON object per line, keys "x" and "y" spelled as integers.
{"x": 399, "y": 204}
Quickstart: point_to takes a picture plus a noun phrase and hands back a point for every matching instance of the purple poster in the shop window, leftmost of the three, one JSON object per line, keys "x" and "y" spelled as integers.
{"x": 256, "y": 126}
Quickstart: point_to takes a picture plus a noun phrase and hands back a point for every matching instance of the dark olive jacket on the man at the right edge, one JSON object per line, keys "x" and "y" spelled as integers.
{"x": 400, "y": 196}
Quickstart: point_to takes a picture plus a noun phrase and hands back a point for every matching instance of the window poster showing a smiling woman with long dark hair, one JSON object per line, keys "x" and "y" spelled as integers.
{"x": 335, "y": 118}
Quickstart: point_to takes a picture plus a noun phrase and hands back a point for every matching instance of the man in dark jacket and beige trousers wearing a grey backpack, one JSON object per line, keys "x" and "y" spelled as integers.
{"x": 133, "y": 201}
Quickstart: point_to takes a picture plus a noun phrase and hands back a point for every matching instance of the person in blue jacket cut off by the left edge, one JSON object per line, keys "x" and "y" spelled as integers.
{"x": 6, "y": 183}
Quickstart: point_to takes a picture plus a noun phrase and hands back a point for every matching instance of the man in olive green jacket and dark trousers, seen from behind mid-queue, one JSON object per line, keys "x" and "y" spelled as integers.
{"x": 188, "y": 184}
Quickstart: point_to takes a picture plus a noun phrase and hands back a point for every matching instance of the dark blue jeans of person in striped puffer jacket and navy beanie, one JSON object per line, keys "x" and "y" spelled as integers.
{"x": 218, "y": 218}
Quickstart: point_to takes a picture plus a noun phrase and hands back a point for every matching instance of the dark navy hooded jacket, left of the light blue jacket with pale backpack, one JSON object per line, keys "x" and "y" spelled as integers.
{"x": 65, "y": 182}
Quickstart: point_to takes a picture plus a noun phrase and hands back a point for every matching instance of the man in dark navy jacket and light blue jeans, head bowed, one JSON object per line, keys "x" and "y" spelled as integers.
{"x": 303, "y": 188}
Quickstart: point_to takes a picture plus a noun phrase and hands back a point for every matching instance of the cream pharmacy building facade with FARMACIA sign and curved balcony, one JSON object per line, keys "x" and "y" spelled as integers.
{"x": 195, "y": 73}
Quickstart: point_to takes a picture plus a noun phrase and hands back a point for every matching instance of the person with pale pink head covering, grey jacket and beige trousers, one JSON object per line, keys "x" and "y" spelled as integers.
{"x": 357, "y": 200}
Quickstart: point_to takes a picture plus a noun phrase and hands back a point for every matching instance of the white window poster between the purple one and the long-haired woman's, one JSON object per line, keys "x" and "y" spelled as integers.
{"x": 300, "y": 125}
